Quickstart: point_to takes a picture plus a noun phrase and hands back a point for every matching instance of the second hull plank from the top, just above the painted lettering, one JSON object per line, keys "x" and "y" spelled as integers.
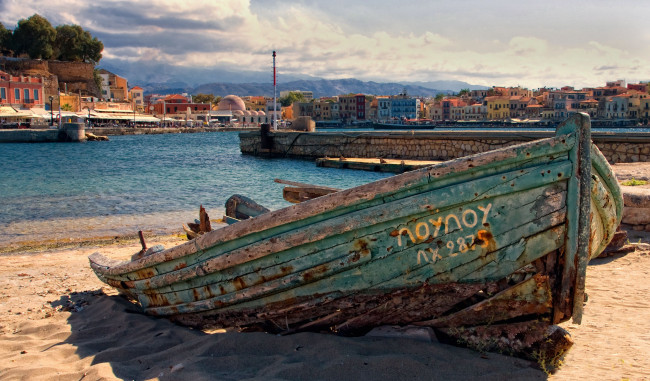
{"x": 440, "y": 199}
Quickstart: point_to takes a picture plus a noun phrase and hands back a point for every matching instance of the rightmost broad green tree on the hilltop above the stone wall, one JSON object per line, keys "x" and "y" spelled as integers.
{"x": 72, "y": 43}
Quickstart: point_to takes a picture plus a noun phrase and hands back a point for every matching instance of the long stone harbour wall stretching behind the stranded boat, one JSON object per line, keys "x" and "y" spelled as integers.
{"x": 415, "y": 145}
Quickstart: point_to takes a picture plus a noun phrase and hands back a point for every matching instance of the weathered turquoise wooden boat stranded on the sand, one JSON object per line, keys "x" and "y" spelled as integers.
{"x": 493, "y": 244}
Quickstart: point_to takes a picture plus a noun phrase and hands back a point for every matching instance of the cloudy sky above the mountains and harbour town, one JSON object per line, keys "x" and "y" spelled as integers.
{"x": 482, "y": 42}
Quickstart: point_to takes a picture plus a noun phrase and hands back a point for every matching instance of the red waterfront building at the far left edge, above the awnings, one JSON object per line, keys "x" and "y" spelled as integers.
{"x": 22, "y": 91}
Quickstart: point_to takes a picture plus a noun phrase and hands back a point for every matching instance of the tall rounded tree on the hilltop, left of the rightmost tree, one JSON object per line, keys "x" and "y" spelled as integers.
{"x": 34, "y": 37}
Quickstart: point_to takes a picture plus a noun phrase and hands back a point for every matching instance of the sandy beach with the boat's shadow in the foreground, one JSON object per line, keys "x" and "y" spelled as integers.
{"x": 58, "y": 321}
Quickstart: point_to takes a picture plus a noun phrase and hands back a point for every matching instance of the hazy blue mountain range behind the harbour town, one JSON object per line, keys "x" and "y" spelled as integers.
{"x": 162, "y": 78}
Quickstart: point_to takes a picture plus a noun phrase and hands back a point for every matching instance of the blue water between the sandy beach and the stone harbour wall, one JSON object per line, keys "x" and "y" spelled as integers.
{"x": 148, "y": 182}
